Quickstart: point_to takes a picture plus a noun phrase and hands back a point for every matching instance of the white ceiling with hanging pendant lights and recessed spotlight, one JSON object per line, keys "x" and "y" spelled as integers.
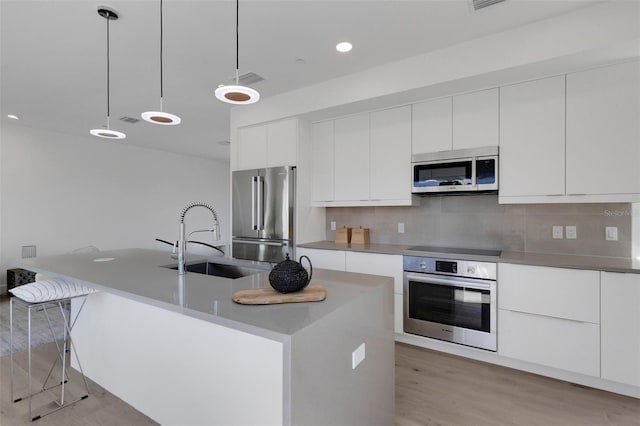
{"x": 53, "y": 62}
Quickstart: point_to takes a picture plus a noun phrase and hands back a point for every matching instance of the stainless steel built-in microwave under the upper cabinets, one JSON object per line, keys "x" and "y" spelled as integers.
{"x": 474, "y": 169}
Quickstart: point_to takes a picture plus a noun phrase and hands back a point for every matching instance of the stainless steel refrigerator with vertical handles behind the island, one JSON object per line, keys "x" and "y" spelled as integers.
{"x": 263, "y": 203}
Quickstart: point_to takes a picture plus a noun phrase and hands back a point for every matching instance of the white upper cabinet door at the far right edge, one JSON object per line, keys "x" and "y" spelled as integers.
{"x": 603, "y": 130}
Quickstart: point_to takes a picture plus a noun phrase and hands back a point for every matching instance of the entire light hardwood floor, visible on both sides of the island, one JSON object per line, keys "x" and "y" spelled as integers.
{"x": 431, "y": 389}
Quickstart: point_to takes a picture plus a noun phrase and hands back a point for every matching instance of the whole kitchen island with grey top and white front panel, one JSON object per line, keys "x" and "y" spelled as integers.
{"x": 180, "y": 351}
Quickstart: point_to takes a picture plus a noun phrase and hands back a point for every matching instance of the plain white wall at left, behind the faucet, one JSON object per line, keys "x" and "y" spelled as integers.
{"x": 60, "y": 193}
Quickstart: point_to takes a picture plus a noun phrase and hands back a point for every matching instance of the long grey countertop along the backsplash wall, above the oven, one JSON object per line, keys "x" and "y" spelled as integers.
{"x": 596, "y": 263}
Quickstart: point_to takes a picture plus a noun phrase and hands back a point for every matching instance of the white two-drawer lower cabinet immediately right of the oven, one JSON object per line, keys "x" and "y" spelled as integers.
{"x": 550, "y": 316}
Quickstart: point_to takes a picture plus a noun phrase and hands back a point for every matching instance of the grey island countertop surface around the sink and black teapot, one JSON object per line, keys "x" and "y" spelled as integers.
{"x": 138, "y": 274}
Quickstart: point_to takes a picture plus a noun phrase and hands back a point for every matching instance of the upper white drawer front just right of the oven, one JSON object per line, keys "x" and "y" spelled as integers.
{"x": 572, "y": 294}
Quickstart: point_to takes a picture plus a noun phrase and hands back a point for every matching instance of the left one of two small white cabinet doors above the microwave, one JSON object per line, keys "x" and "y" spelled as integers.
{"x": 431, "y": 129}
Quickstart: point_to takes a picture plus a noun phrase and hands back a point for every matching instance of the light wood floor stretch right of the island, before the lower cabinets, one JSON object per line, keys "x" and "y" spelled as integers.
{"x": 433, "y": 388}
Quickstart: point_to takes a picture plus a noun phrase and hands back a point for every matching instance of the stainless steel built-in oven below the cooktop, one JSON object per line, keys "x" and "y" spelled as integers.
{"x": 452, "y": 300}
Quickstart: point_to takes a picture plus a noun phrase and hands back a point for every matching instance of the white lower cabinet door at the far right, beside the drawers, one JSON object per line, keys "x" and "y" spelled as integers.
{"x": 620, "y": 327}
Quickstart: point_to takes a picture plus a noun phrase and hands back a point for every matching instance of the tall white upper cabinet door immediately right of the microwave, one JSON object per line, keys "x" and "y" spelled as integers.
{"x": 532, "y": 126}
